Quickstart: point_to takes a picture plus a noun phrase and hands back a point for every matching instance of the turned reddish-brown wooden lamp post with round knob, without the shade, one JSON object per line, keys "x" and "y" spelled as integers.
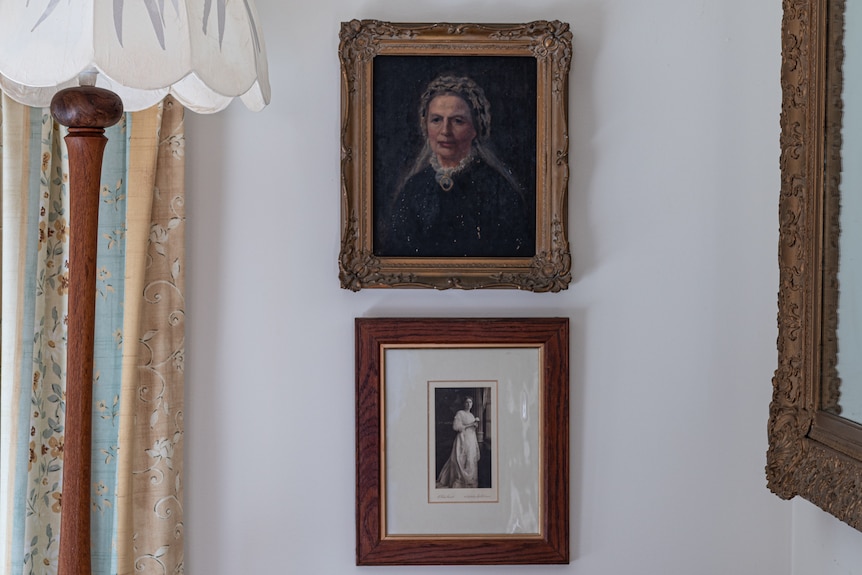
{"x": 86, "y": 111}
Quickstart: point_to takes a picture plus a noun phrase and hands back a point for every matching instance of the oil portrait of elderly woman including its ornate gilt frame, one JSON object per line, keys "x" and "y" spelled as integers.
{"x": 454, "y": 163}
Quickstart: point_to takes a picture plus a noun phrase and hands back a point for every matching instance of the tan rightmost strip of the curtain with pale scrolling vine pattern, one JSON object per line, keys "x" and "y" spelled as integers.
{"x": 159, "y": 402}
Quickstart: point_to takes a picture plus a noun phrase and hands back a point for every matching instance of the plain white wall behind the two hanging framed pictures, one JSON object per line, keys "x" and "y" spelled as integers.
{"x": 674, "y": 131}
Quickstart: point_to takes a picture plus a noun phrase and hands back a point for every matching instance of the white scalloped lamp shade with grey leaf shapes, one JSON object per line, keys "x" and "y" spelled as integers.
{"x": 203, "y": 52}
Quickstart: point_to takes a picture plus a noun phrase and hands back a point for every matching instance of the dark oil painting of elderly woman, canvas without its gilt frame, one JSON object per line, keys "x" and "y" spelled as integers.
{"x": 454, "y": 168}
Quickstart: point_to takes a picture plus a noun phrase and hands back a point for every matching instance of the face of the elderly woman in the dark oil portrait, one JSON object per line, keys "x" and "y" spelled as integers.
{"x": 450, "y": 129}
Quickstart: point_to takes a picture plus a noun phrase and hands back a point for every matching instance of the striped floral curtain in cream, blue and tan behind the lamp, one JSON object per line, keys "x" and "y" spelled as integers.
{"x": 137, "y": 453}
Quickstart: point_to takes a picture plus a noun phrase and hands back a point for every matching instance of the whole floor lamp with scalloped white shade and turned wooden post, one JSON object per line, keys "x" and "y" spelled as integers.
{"x": 91, "y": 59}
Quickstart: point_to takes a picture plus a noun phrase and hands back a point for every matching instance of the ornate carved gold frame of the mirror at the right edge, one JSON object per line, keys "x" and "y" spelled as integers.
{"x": 813, "y": 452}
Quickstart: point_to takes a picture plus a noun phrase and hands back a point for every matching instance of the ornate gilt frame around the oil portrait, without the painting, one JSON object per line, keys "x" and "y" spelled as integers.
{"x": 550, "y": 43}
